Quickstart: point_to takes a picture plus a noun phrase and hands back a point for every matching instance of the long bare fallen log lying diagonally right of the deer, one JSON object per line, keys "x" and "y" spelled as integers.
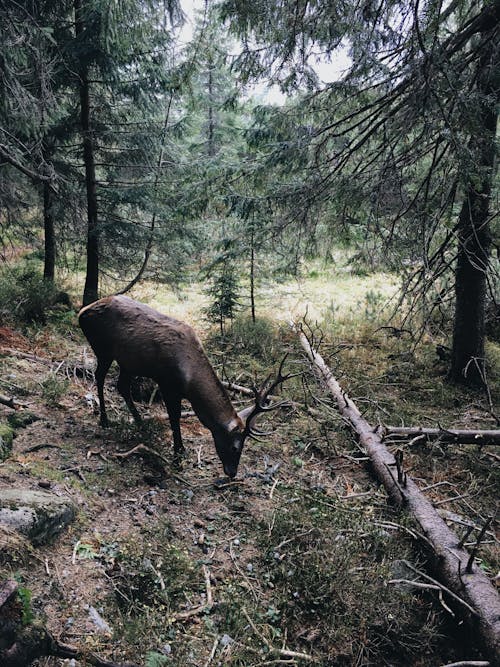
{"x": 453, "y": 564}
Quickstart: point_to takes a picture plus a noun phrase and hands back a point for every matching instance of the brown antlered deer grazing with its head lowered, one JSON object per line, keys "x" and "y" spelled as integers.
{"x": 147, "y": 343}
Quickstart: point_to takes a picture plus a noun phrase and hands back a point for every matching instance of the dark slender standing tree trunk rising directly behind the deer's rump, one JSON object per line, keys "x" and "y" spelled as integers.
{"x": 90, "y": 291}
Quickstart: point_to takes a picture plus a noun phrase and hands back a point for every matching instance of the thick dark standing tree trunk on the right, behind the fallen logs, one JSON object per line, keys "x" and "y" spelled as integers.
{"x": 474, "y": 239}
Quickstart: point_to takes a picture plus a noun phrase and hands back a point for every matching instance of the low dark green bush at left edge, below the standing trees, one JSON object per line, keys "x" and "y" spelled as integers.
{"x": 25, "y": 296}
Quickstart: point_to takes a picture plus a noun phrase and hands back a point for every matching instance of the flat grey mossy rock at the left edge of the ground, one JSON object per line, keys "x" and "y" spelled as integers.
{"x": 38, "y": 515}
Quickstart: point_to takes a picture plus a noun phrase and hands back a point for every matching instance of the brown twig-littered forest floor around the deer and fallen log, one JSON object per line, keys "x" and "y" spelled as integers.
{"x": 290, "y": 564}
